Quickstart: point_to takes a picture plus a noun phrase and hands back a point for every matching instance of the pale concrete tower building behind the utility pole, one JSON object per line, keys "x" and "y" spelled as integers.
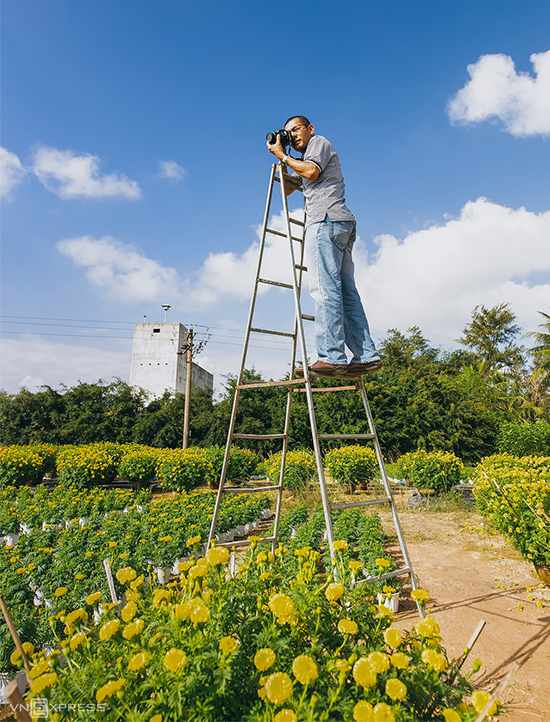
{"x": 158, "y": 360}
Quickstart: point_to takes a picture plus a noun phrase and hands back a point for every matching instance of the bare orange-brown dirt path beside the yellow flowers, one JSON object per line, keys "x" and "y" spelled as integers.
{"x": 472, "y": 576}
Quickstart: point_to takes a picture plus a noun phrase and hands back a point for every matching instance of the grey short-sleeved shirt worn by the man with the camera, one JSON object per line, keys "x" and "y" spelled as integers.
{"x": 326, "y": 194}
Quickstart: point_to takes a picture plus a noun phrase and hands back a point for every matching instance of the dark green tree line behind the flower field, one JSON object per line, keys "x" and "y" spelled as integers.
{"x": 422, "y": 397}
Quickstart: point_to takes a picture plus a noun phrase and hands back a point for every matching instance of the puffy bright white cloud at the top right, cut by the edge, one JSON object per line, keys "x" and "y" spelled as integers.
{"x": 497, "y": 90}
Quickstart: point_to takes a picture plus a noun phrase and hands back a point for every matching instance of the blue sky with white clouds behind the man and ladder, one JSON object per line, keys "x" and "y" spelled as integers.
{"x": 135, "y": 169}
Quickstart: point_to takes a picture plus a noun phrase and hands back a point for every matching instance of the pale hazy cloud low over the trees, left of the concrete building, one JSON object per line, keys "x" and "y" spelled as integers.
{"x": 32, "y": 361}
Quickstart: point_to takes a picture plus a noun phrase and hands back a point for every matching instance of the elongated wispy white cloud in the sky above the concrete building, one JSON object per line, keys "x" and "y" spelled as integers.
{"x": 121, "y": 270}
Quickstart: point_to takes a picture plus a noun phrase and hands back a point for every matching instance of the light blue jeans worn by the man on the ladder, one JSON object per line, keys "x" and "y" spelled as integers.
{"x": 339, "y": 315}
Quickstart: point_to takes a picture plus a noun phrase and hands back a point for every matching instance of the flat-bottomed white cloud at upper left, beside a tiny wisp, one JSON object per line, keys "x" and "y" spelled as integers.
{"x": 77, "y": 176}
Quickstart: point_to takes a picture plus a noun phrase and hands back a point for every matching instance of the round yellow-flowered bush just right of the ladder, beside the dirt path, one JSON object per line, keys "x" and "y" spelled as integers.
{"x": 437, "y": 470}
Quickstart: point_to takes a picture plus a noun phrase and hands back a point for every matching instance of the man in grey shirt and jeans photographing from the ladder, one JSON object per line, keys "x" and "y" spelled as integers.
{"x": 330, "y": 234}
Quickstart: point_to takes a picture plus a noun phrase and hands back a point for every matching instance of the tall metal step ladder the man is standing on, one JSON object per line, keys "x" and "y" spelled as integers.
{"x": 294, "y": 234}
